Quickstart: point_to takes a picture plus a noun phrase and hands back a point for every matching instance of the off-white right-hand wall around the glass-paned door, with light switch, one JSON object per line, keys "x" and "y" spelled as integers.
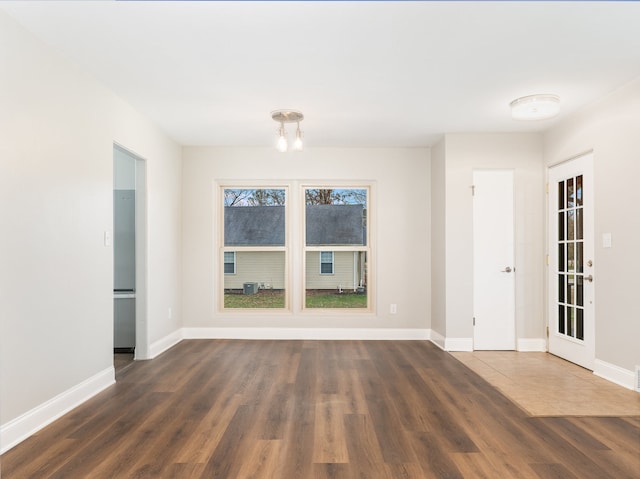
{"x": 610, "y": 128}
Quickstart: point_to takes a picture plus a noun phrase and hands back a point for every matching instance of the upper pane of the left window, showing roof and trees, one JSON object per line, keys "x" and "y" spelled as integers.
{"x": 254, "y": 217}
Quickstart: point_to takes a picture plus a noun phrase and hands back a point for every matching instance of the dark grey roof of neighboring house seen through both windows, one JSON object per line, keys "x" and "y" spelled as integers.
{"x": 265, "y": 225}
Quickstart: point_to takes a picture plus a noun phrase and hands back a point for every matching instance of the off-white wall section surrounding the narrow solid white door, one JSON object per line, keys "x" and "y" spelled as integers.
{"x": 523, "y": 154}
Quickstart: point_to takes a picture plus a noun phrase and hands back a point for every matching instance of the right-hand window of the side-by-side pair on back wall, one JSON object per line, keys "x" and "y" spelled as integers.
{"x": 337, "y": 218}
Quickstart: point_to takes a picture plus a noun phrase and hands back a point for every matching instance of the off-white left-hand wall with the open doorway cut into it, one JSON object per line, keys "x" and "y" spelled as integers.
{"x": 57, "y": 128}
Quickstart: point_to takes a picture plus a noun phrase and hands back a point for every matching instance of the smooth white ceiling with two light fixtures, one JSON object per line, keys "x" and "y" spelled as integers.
{"x": 363, "y": 73}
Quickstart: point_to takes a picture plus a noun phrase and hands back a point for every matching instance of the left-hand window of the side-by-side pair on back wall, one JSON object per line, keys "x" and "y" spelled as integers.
{"x": 254, "y": 250}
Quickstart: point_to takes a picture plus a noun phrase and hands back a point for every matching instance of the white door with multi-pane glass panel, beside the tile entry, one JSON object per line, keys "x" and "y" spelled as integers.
{"x": 571, "y": 268}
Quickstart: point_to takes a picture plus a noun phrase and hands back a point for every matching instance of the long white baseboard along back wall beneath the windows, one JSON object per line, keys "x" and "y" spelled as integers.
{"x": 306, "y": 333}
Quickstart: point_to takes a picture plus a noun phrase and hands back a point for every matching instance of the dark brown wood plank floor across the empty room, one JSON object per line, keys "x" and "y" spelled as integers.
{"x": 317, "y": 409}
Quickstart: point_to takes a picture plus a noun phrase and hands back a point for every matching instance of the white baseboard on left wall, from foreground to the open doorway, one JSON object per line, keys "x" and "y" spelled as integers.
{"x": 20, "y": 428}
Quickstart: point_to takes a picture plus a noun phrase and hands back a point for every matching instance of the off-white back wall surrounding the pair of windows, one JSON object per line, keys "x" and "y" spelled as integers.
{"x": 400, "y": 221}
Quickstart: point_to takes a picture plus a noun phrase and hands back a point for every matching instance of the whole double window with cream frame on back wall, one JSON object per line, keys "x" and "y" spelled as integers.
{"x": 331, "y": 247}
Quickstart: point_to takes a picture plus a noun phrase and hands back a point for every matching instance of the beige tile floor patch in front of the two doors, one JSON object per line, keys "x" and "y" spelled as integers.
{"x": 545, "y": 385}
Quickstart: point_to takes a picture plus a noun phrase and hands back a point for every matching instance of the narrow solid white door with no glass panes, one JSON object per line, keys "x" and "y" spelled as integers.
{"x": 493, "y": 260}
